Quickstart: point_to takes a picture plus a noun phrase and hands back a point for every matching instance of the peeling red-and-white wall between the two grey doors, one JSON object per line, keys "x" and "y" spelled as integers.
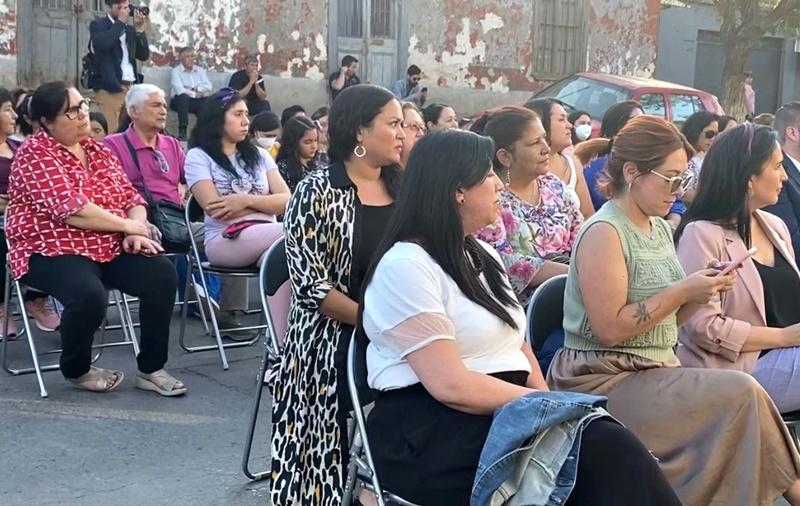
{"x": 289, "y": 35}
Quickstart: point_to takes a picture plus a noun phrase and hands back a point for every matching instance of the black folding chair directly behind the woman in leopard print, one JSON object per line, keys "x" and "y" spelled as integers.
{"x": 273, "y": 274}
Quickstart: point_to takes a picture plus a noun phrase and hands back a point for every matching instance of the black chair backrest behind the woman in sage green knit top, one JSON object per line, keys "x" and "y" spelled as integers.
{"x": 546, "y": 310}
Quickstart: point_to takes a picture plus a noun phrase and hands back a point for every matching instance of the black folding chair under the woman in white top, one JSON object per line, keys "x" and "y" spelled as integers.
{"x": 362, "y": 467}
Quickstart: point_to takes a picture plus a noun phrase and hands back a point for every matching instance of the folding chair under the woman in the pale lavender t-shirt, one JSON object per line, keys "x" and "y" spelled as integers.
{"x": 204, "y": 268}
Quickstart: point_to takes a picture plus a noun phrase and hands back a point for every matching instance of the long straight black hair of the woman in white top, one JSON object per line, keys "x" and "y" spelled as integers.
{"x": 442, "y": 163}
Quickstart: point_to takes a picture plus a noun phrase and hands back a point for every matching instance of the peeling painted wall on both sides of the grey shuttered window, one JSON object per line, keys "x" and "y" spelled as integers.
{"x": 488, "y": 44}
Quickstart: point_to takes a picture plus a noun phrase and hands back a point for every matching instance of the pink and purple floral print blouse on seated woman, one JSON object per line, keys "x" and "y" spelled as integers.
{"x": 525, "y": 234}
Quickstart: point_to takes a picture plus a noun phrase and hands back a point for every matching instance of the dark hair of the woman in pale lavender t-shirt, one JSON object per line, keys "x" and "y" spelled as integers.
{"x": 207, "y": 133}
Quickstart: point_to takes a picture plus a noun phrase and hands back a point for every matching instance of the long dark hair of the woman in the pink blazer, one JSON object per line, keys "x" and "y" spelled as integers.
{"x": 727, "y": 168}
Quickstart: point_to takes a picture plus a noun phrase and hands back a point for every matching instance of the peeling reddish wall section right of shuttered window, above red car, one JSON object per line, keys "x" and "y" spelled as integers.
{"x": 624, "y": 36}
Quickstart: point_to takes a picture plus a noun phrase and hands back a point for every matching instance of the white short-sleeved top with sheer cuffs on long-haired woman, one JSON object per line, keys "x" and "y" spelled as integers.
{"x": 412, "y": 302}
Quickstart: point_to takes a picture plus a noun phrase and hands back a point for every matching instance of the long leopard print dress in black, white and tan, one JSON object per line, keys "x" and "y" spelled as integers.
{"x": 306, "y": 438}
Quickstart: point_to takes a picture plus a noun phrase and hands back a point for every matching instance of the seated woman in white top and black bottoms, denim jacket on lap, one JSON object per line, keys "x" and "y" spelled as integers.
{"x": 447, "y": 348}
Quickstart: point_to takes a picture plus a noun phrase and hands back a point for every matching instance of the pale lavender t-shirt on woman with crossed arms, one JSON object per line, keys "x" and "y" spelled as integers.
{"x": 200, "y": 167}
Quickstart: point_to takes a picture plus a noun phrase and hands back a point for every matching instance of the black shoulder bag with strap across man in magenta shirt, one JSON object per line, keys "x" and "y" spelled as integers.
{"x": 168, "y": 217}
